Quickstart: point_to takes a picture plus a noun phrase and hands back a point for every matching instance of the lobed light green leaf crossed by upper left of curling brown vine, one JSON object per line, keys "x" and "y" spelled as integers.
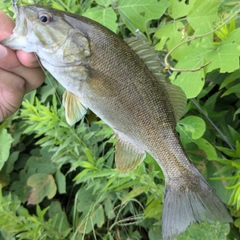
{"x": 171, "y": 35}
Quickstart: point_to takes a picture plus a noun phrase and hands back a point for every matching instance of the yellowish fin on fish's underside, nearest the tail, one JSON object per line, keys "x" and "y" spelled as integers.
{"x": 127, "y": 155}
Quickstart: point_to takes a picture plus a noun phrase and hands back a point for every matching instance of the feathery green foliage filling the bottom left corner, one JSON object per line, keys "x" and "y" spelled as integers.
{"x": 17, "y": 223}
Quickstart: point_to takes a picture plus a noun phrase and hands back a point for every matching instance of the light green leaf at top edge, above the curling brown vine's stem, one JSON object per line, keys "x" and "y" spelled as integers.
{"x": 203, "y": 15}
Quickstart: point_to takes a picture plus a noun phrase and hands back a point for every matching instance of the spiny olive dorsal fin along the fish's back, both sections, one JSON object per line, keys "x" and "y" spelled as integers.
{"x": 150, "y": 57}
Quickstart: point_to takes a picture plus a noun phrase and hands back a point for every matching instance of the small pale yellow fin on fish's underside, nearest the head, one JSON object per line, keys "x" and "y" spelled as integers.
{"x": 74, "y": 109}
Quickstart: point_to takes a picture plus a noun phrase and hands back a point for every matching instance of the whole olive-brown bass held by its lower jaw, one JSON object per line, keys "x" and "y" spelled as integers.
{"x": 119, "y": 80}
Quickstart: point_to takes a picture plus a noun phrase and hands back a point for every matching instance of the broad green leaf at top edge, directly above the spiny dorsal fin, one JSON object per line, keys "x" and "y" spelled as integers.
{"x": 139, "y": 12}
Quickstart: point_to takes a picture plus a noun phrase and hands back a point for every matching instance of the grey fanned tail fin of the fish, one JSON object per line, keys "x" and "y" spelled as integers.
{"x": 187, "y": 201}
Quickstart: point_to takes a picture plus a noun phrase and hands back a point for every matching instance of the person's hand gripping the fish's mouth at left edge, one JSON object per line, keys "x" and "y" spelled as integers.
{"x": 20, "y": 72}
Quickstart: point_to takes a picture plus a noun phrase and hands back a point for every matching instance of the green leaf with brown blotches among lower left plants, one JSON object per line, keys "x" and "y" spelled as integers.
{"x": 43, "y": 185}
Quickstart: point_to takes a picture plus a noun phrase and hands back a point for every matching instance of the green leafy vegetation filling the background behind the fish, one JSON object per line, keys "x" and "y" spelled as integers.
{"x": 60, "y": 182}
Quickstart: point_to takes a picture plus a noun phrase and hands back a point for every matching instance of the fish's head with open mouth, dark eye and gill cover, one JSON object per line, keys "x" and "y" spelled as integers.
{"x": 46, "y": 32}
